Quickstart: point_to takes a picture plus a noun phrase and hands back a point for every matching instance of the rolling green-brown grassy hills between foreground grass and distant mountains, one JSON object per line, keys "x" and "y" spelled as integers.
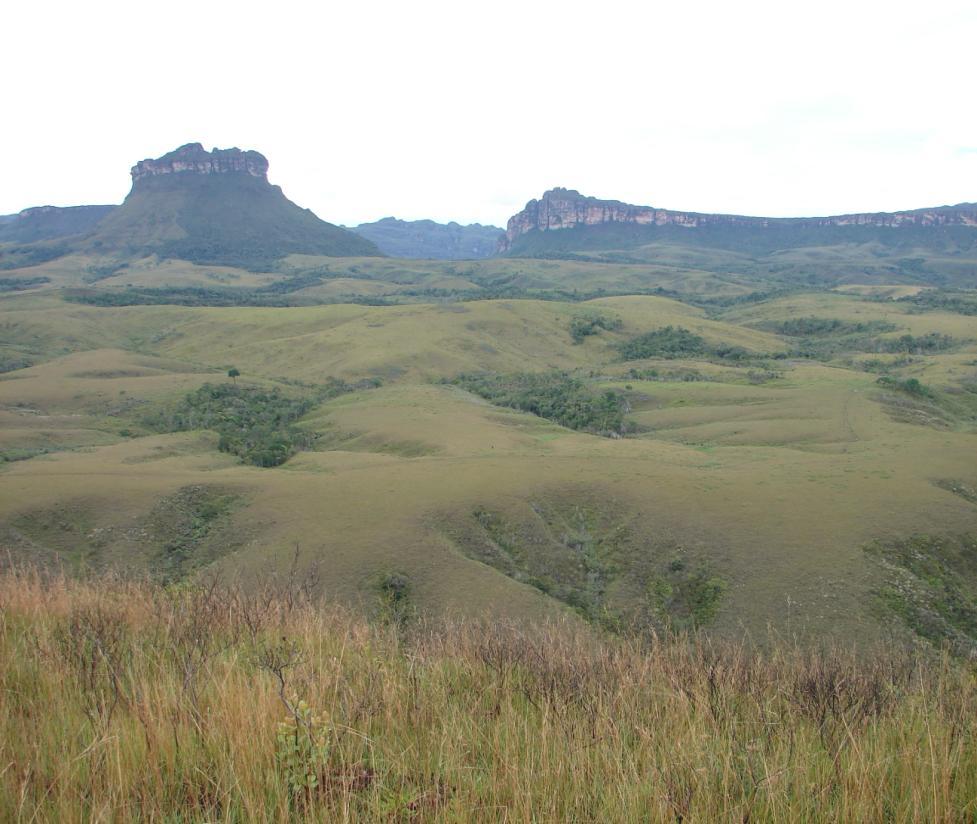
{"x": 757, "y": 468}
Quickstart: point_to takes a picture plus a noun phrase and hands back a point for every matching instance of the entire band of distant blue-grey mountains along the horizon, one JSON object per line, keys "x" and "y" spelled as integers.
{"x": 218, "y": 207}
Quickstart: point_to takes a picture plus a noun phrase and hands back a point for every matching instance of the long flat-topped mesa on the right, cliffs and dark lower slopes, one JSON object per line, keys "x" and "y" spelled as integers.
{"x": 542, "y": 226}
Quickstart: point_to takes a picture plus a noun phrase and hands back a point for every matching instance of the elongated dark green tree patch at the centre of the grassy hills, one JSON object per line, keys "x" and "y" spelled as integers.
{"x": 556, "y": 396}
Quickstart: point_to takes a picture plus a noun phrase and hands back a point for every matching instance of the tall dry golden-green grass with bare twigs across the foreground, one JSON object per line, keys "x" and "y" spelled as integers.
{"x": 125, "y": 701}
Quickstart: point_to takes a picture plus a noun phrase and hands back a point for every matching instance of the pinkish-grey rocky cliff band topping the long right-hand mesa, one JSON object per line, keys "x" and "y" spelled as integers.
{"x": 566, "y": 208}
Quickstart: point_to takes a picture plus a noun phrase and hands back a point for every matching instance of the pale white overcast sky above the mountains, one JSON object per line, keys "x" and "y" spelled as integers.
{"x": 464, "y": 111}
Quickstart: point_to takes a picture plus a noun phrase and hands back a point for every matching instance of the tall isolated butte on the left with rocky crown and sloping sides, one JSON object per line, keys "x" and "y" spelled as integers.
{"x": 217, "y": 207}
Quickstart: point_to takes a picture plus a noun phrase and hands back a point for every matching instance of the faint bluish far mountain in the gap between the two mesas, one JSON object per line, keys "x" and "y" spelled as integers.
{"x": 434, "y": 241}
